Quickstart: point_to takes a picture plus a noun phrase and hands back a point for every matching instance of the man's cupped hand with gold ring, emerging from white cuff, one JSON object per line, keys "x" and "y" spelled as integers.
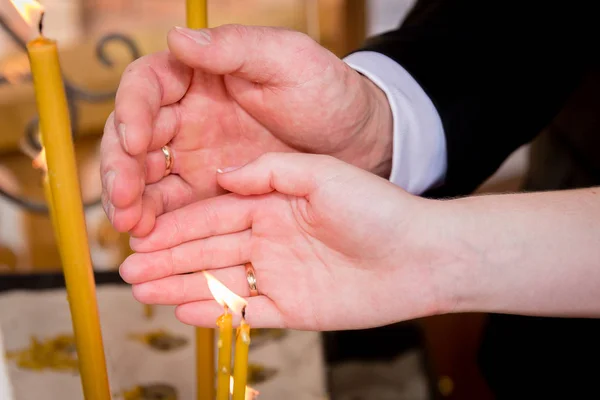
{"x": 224, "y": 96}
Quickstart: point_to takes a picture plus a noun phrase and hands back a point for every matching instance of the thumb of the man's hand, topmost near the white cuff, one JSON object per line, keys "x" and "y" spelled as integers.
{"x": 257, "y": 54}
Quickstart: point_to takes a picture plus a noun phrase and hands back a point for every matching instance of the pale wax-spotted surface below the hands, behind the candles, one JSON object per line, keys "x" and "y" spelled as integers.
{"x": 297, "y": 357}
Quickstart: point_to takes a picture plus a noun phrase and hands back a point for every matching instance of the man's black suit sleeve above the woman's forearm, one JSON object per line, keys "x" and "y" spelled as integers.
{"x": 497, "y": 72}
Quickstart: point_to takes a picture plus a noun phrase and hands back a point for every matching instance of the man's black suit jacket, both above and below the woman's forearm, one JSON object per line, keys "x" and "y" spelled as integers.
{"x": 499, "y": 73}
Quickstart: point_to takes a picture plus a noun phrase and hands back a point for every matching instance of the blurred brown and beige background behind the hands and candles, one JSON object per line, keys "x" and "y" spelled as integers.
{"x": 425, "y": 359}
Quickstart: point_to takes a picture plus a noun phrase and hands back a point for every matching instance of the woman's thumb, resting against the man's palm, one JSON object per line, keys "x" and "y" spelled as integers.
{"x": 294, "y": 174}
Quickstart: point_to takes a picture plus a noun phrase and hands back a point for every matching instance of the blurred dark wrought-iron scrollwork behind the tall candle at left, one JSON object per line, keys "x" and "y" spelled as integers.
{"x": 74, "y": 96}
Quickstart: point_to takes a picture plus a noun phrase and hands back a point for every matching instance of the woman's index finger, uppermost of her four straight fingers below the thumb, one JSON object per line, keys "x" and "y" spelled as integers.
{"x": 215, "y": 216}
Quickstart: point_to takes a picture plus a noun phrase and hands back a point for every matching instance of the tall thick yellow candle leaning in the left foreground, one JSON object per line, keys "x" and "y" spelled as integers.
{"x": 63, "y": 180}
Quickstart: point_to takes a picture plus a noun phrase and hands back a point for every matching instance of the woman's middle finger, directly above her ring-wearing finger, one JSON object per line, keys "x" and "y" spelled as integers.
{"x": 204, "y": 254}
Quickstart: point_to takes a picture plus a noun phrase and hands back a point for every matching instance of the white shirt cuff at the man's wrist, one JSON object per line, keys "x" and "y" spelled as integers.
{"x": 419, "y": 152}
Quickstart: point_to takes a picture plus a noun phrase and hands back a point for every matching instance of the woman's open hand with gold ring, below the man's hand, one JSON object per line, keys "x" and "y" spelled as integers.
{"x": 333, "y": 246}
